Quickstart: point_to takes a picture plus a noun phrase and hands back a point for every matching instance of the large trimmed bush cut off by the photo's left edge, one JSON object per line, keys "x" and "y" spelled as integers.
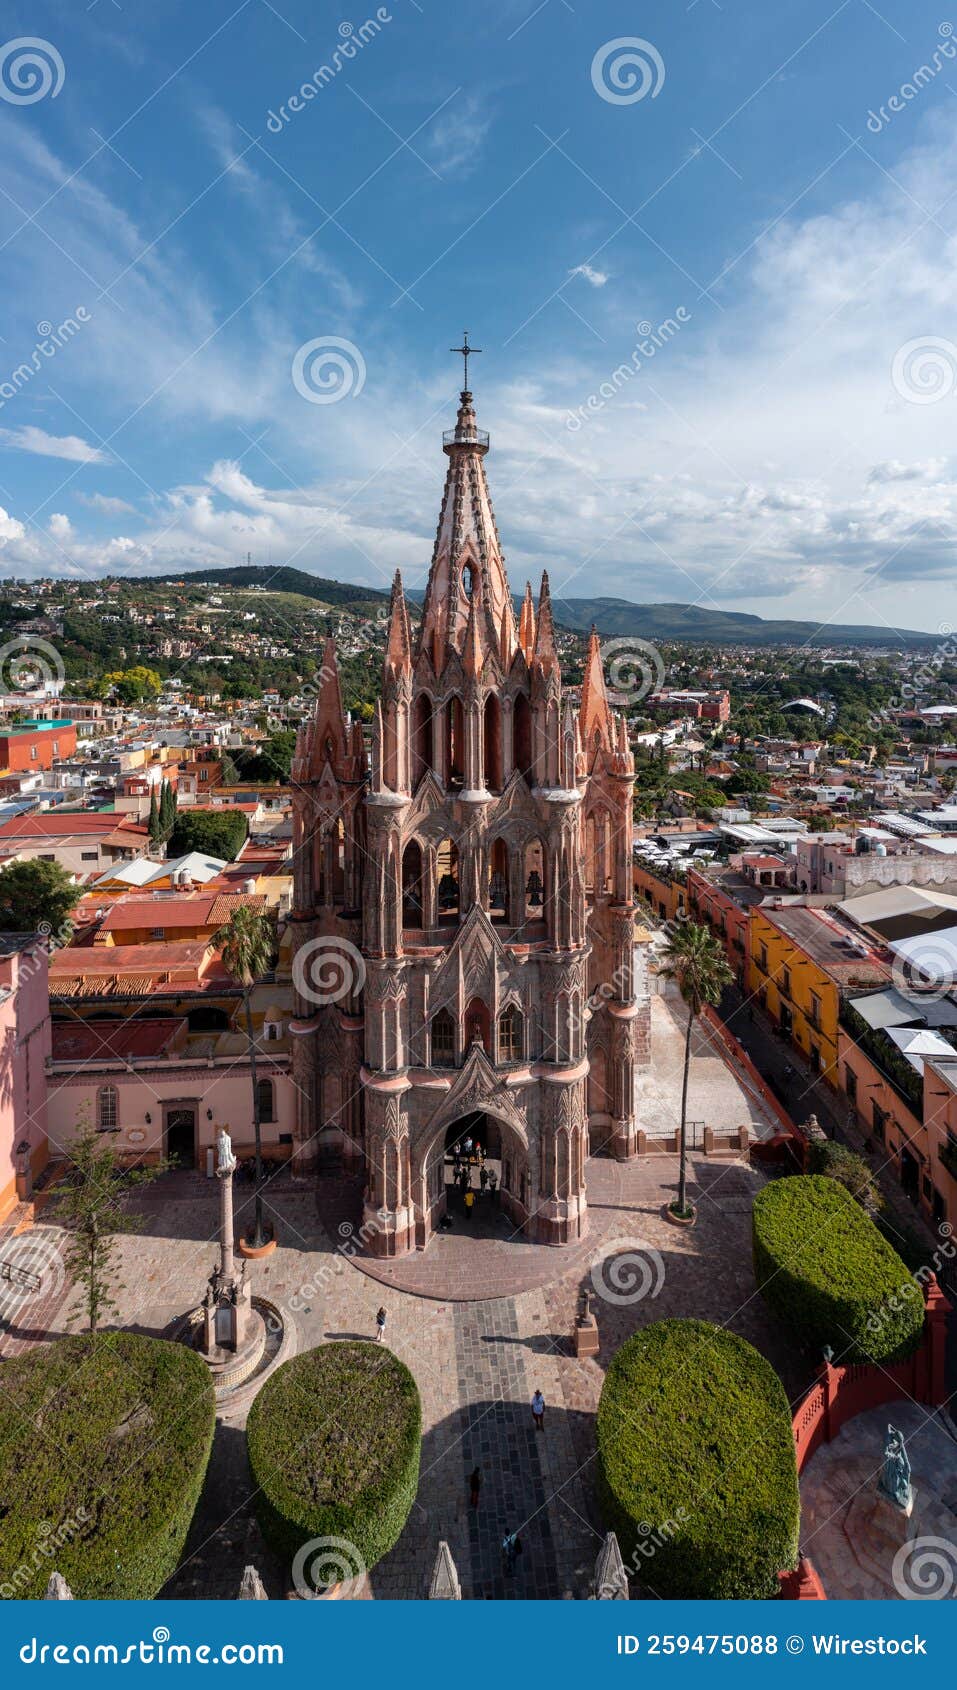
{"x": 104, "y": 1449}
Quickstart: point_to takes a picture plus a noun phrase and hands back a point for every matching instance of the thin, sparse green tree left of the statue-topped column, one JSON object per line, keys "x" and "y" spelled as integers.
{"x": 92, "y": 1208}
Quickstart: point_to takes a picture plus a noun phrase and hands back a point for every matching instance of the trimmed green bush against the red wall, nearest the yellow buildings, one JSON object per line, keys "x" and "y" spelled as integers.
{"x": 824, "y": 1268}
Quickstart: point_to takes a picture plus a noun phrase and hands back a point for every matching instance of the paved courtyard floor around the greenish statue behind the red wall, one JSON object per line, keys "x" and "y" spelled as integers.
{"x": 861, "y": 1549}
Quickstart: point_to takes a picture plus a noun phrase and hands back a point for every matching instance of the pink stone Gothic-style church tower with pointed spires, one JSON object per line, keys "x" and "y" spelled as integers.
{"x": 481, "y": 868}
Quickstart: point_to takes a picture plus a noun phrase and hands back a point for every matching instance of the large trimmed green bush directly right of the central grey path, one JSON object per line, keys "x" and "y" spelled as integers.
{"x": 697, "y": 1469}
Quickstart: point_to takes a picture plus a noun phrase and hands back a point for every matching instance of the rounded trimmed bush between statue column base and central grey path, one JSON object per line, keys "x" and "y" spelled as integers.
{"x": 334, "y": 1447}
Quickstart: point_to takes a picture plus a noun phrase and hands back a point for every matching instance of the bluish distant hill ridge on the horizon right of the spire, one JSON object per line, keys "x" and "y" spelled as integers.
{"x": 718, "y": 628}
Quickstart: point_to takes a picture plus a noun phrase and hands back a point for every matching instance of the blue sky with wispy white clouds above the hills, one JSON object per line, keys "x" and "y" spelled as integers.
{"x": 762, "y": 248}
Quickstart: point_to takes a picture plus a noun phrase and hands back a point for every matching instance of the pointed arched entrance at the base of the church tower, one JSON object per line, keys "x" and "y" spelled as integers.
{"x": 486, "y": 1157}
